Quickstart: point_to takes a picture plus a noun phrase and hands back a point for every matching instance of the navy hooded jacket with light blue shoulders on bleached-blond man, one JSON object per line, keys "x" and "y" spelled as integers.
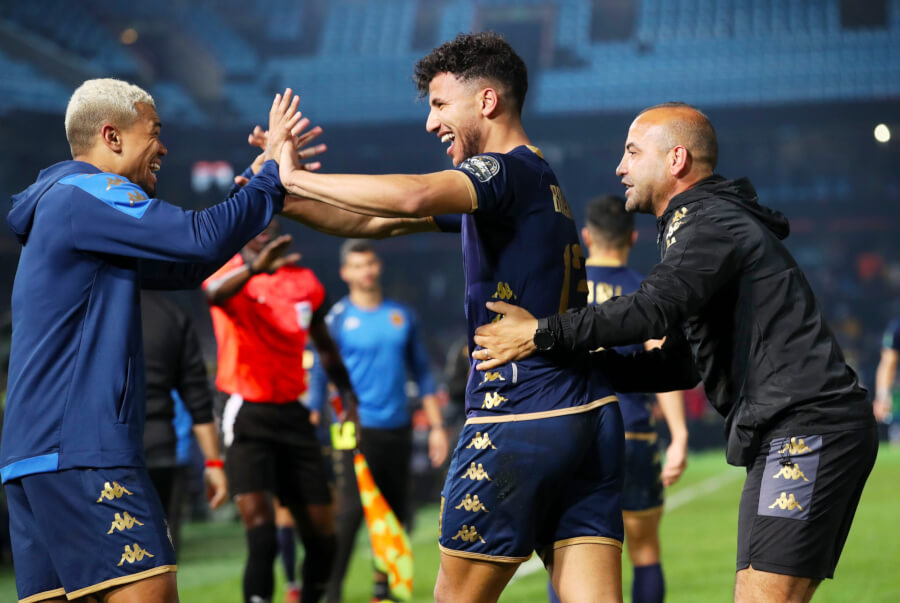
{"x": 90, "y": 241}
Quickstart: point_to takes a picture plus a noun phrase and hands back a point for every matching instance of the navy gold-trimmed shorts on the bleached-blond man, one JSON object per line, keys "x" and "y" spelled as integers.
{"x": 80, "y": 531}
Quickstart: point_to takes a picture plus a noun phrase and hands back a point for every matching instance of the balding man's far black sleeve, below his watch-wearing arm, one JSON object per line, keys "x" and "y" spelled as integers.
{"x": 664, "y": 369}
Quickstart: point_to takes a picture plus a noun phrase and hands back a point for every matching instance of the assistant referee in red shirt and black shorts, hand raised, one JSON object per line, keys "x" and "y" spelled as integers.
{"x": 263, "y": 308}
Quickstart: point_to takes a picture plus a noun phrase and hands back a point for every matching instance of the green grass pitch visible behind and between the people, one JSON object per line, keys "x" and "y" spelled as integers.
{"x": 698, "y": 539}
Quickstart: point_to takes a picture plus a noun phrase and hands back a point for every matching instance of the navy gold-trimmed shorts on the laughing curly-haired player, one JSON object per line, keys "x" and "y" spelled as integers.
{"x": 534, "y": 482}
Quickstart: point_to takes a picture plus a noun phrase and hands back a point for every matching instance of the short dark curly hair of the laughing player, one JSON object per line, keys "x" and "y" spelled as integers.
{"x": 475, "y": 56}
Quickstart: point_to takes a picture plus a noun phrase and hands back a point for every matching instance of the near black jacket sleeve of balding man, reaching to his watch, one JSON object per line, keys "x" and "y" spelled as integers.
{"x": 699, "y": 259}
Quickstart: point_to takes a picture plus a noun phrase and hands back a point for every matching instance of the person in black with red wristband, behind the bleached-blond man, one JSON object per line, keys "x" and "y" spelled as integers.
{"x": 174, "y": 366}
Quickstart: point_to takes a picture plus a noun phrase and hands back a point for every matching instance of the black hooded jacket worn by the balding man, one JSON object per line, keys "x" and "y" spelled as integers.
{"x": 752, "y": 329}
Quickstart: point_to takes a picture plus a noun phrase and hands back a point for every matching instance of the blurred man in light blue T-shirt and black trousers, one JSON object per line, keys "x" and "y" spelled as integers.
{"x": 380, "y": 342}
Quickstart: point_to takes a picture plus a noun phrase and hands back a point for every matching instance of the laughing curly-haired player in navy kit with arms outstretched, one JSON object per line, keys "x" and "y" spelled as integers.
{"x": 538, "y": 463}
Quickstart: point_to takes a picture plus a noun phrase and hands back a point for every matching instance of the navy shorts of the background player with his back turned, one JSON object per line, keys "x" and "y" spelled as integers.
{"x": 643, "y": 490}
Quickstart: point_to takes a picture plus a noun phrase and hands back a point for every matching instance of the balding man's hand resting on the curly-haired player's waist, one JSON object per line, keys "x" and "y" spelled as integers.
{"x": 511, "y": 338}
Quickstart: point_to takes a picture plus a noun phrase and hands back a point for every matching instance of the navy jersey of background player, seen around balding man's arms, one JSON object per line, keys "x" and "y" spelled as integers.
{"x": 605, "y": 281}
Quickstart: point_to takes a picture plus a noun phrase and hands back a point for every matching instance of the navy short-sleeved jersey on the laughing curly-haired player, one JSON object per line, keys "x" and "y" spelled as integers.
{"x": 520, "y": 245}
